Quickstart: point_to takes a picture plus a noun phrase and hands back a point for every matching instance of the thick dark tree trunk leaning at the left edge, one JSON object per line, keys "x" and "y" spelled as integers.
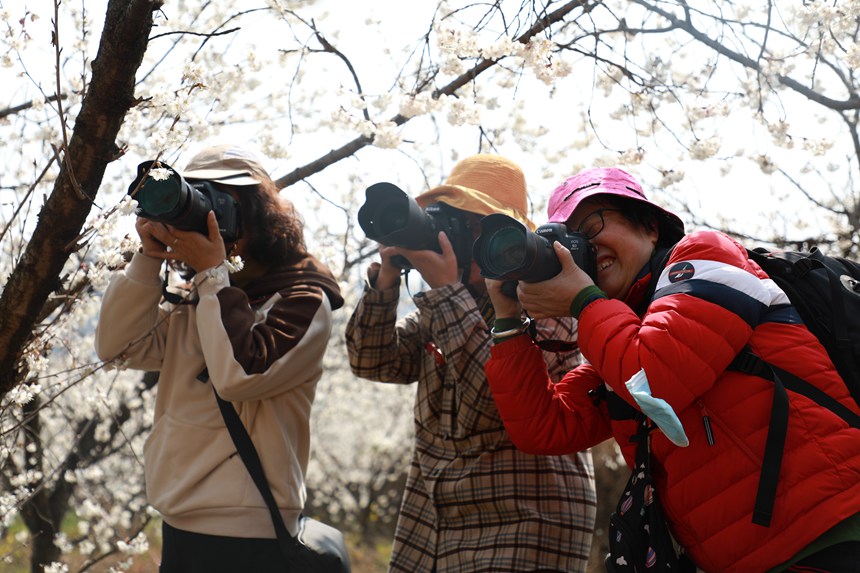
{"x": 92, "y": 146}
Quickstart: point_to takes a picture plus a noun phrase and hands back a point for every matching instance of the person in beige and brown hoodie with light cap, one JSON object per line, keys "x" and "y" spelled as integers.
{"x": 256, "y": 336}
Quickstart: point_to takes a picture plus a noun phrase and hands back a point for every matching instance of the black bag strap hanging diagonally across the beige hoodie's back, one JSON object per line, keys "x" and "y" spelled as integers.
{"x": 287, "y": 543}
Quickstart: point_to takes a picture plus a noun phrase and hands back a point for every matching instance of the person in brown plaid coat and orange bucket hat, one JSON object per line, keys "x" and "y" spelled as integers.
{"x": 472, "y": 501}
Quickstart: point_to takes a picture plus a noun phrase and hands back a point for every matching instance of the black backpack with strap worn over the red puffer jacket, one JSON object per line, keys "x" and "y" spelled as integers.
{"x": 826, "y": 293}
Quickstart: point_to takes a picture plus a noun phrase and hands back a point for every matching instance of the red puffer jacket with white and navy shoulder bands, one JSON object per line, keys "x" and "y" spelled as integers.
{"x": 697, "y": 321}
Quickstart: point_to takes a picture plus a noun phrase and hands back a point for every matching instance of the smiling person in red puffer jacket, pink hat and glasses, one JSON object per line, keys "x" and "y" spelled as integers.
{"x": 669, "y": 313}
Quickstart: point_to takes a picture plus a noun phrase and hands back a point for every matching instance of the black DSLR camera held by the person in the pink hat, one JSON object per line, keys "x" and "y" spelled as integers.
{"x": 507, "y": 250}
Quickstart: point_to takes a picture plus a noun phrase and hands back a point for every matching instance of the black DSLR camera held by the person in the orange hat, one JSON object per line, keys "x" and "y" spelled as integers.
{"x": 391, "y": 217}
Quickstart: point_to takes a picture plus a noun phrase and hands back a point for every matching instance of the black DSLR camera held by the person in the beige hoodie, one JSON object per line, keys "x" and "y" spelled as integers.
{"x": 184, "y": 204}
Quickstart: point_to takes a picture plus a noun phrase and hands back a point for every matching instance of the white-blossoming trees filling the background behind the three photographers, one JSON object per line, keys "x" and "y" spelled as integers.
{"x": 723, "y": 111}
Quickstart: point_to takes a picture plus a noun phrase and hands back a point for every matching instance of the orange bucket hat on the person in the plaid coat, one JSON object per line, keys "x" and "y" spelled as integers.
{"x": 483, "y": 184}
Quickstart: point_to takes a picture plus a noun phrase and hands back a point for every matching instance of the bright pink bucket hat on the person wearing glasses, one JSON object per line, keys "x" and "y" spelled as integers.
{"x": 608, "y": 181}
